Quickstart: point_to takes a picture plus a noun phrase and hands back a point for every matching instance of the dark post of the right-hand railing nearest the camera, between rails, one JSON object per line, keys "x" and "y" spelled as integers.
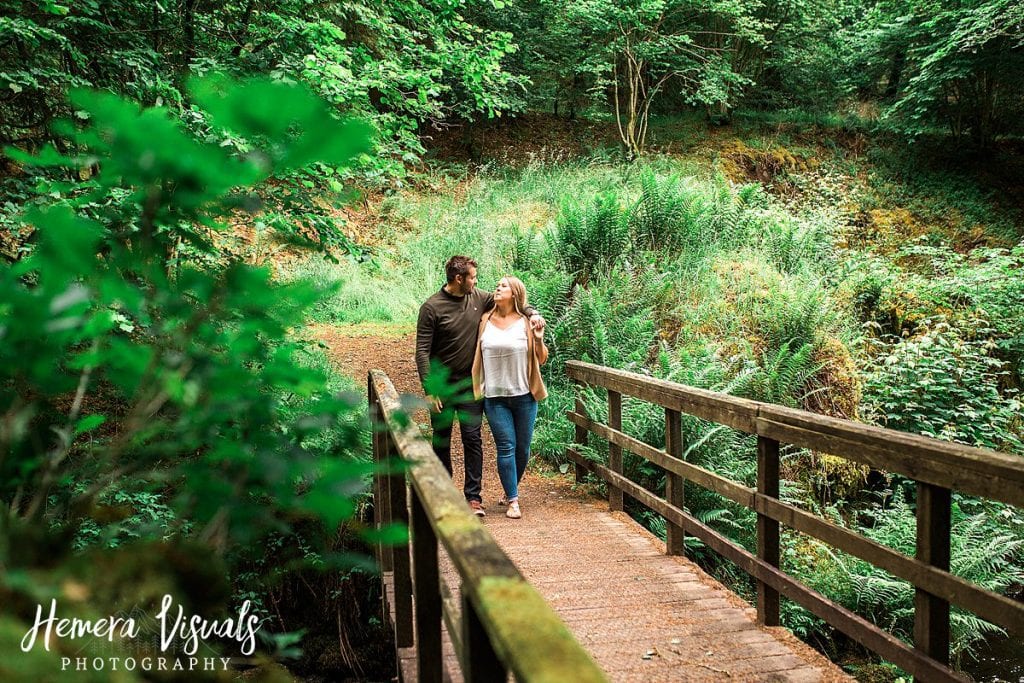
{"x": 931, "y": 615}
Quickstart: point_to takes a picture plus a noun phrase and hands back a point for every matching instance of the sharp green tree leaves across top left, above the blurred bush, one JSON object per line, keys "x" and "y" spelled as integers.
{"x": 397, "y": 64}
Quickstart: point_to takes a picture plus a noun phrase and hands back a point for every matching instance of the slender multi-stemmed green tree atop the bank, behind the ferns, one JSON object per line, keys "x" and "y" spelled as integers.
{"x": 632, "y": 55}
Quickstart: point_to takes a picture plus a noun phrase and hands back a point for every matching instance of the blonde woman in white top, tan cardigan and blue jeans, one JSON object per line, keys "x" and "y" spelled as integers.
{"x": 507, "y": 374}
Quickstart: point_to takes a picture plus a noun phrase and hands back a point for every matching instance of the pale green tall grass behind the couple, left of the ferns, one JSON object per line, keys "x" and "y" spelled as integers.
{"x": 485, "y": 217}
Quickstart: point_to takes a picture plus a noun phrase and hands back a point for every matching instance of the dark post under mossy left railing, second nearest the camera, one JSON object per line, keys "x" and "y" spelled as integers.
{"x": 426, "y": 584}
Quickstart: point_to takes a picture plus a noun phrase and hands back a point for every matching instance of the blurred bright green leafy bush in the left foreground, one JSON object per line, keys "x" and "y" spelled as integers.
{"x": 147, "y": 398}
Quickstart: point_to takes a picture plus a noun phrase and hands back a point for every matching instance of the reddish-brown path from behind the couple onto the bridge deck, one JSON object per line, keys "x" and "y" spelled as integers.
{"x": 643, "y": 616}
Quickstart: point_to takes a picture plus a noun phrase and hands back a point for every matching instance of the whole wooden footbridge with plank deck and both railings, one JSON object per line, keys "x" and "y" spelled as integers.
{"x": 577, "y": 591}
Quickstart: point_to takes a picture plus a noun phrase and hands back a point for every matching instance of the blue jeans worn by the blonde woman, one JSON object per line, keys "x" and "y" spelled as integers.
{"x": 511, "y": 420}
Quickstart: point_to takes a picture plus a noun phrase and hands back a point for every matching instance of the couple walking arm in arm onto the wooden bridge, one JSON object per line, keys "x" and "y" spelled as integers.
{"x": 497, "y": 341}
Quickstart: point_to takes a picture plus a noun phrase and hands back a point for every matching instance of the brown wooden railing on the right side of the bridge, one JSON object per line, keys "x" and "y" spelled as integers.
{"x": 938, "y": 467}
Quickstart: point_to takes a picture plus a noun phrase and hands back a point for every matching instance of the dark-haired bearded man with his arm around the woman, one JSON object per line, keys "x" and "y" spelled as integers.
{"x": 447, "y": 333}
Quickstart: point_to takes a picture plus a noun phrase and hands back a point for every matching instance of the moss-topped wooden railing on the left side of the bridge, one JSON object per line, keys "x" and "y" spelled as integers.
{"x": 503, "y": 626}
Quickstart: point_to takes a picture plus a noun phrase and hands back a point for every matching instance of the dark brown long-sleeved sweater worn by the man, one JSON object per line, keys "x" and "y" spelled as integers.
{"x": 447, "y": 331}
